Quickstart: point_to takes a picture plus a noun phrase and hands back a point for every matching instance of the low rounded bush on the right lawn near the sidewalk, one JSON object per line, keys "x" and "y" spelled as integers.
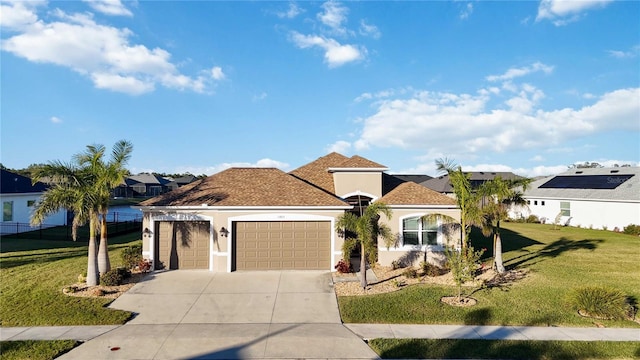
{"x": 600, "y": 302}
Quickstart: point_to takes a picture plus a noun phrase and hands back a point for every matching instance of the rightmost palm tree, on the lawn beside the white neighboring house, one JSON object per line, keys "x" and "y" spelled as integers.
{"x": 502, "y": 194}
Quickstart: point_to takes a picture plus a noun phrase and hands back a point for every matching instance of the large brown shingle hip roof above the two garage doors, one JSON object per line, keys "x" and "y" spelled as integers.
{"x": 247, "y": 187}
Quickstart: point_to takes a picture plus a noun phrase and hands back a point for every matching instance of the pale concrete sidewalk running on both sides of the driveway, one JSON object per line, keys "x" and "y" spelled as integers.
{"x": 371, "y": 331}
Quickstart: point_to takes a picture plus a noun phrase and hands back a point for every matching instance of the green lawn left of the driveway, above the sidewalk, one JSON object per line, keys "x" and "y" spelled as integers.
{"x": 33, "y": 273}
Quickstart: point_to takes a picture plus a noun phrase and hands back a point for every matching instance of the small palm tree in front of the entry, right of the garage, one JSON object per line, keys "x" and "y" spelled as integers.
{"x": 367, "y": 230}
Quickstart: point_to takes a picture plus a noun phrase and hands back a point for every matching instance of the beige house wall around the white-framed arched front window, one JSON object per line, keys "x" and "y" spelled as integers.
{"x": 410, "y": 254}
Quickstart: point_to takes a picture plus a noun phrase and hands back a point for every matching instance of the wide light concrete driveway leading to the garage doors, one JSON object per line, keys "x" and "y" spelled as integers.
{"x": 241, "y": 315}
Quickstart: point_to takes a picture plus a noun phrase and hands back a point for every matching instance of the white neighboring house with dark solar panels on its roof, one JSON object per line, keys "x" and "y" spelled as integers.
{"x": 599, "y": 198}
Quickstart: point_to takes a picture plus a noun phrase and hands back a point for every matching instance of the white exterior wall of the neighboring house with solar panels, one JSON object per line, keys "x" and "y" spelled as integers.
{"x": 584, "y": 213}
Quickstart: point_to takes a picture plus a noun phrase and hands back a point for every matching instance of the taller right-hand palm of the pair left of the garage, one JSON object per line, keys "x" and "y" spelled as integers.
{"x": 107, "y": 177}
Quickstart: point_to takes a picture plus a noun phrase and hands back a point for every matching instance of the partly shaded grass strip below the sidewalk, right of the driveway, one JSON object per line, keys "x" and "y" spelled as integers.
{"x": 503, "y": 349}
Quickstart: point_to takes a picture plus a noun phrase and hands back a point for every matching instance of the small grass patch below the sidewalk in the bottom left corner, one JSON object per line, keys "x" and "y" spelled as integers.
{"x": 35, "y": 350}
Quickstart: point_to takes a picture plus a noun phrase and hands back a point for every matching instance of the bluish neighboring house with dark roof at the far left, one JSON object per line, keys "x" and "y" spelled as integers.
{"x": 18, "y": 197}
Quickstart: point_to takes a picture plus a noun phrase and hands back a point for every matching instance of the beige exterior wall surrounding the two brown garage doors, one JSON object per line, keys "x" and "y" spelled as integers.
{"x": 220, "y": 258}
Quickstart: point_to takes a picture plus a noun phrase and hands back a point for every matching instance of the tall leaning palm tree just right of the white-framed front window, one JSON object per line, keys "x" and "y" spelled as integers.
{"x": 467, "y": 199}
